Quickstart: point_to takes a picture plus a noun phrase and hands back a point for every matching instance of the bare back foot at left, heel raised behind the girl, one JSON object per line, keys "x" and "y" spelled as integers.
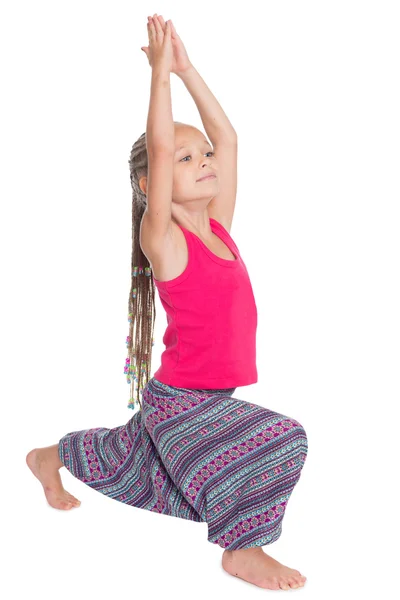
{"x": 44, "y": 464}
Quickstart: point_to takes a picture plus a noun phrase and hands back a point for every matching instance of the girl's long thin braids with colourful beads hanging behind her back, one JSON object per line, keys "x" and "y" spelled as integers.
{"x": 141, "y": 305}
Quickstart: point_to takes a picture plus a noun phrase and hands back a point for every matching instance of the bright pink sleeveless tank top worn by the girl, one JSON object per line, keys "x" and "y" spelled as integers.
{"x": 210, "y": 339}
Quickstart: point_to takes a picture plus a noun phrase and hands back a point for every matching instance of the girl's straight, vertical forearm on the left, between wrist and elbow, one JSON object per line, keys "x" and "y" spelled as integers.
{"x": 160, "y": 132}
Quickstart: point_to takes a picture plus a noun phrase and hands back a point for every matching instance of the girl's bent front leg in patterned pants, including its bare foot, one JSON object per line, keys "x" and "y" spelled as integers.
{"x": 237, "y": 463}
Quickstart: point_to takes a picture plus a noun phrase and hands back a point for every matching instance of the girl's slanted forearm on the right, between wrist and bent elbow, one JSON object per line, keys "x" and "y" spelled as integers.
{"x": 215, "y": 121}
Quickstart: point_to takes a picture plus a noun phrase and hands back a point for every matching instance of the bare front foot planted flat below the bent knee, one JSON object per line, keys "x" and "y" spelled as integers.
{"x": 255, "y": 566}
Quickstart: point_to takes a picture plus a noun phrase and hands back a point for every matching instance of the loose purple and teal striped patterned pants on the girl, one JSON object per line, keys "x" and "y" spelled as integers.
{"x": 197, "y": 454}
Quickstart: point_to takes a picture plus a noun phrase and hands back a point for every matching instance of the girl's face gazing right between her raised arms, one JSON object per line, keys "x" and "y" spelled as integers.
{"x": 194, "y": 158}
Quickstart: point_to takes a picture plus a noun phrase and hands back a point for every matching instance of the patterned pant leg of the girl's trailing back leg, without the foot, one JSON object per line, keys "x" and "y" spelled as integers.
{"x": 124, "y": 464}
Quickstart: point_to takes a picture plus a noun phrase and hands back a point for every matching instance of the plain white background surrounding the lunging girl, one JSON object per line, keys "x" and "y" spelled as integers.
{"x": 312, "y": 89}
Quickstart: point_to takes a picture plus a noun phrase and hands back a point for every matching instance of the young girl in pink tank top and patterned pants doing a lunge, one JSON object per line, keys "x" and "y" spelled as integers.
{"x": 192, "y": 450}
